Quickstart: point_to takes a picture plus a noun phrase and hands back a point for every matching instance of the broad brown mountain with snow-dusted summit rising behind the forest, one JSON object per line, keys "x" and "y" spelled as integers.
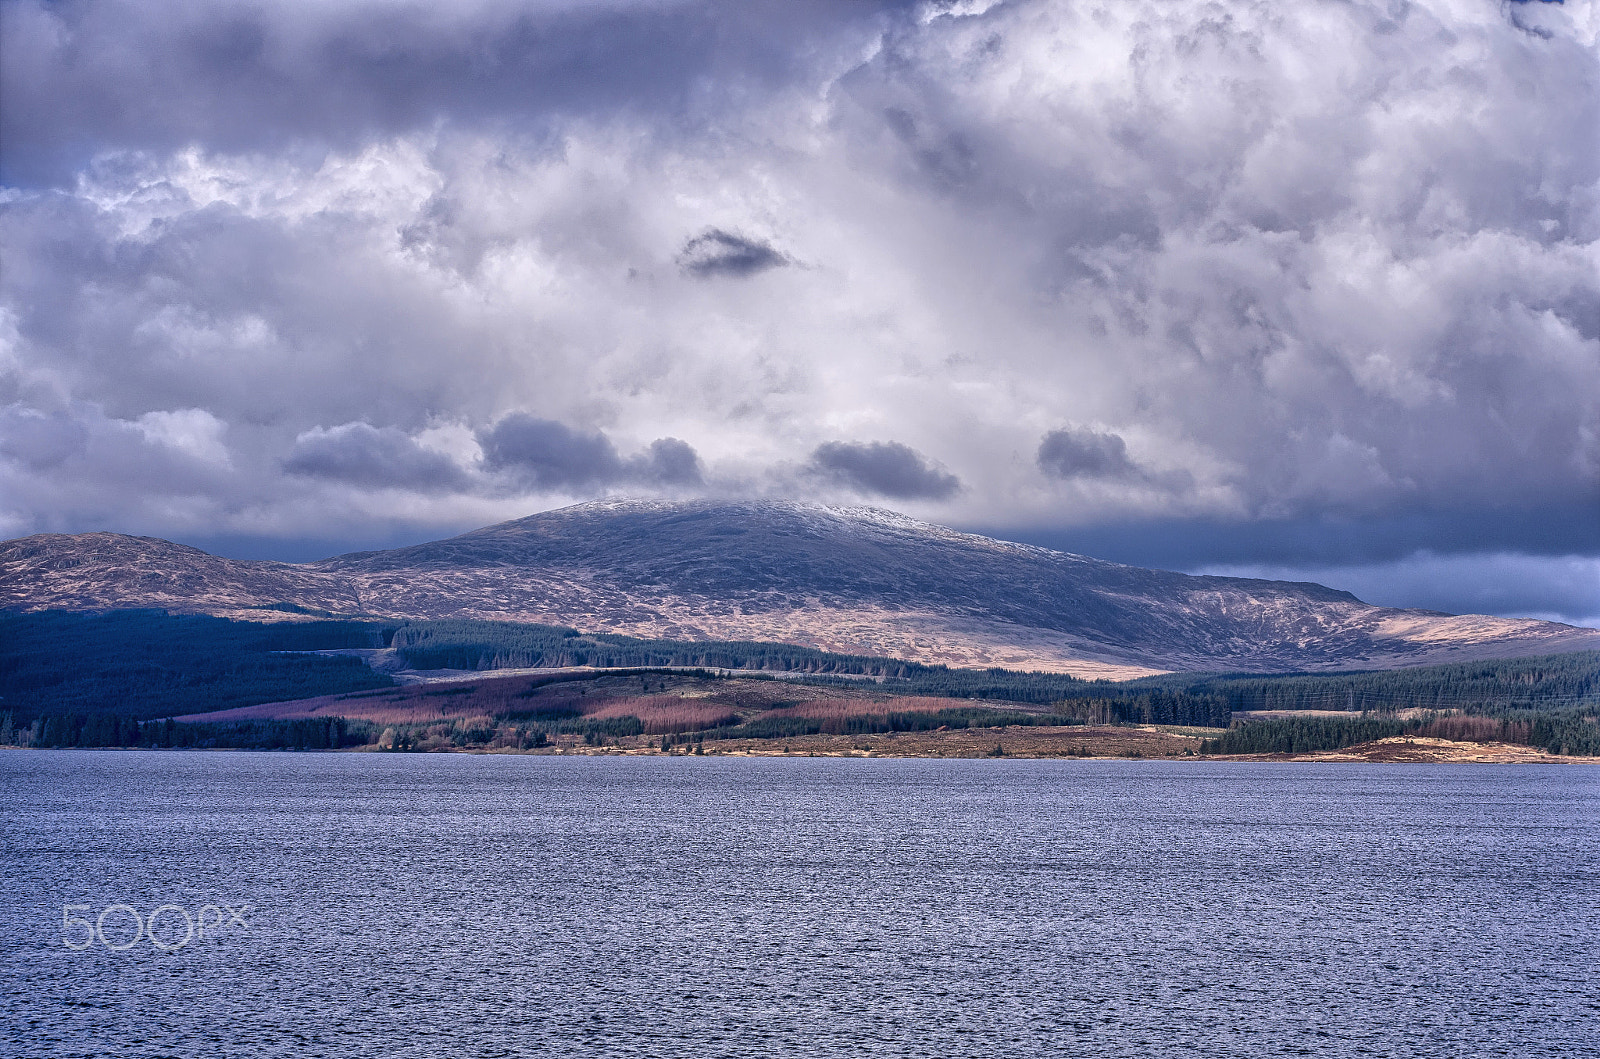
{"x": 839, "y": 578}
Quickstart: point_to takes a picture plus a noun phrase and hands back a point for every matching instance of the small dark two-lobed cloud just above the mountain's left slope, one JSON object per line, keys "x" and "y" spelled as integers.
{"x": 548, "y": 455}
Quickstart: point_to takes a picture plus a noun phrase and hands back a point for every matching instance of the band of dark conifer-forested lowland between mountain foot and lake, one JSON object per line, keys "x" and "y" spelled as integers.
{"x": 118, "y": 679}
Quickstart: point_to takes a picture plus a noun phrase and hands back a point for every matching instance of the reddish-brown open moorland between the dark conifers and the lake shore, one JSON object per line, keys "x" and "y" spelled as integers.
{"x": 658, "y": 713}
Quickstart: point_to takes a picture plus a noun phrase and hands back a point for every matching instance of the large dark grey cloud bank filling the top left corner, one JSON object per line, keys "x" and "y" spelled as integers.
{"x": 86, "y": 76}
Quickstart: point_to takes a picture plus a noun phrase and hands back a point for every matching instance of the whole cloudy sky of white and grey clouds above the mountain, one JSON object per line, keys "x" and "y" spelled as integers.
{"x": 1300, "y": 290}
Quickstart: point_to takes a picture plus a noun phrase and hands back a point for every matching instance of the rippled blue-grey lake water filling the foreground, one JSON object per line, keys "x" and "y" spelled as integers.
{"x": 534, "y": 906}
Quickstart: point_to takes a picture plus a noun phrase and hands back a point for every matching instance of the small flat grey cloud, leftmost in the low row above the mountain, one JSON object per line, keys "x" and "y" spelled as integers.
{"x": 362, "y": 455}
